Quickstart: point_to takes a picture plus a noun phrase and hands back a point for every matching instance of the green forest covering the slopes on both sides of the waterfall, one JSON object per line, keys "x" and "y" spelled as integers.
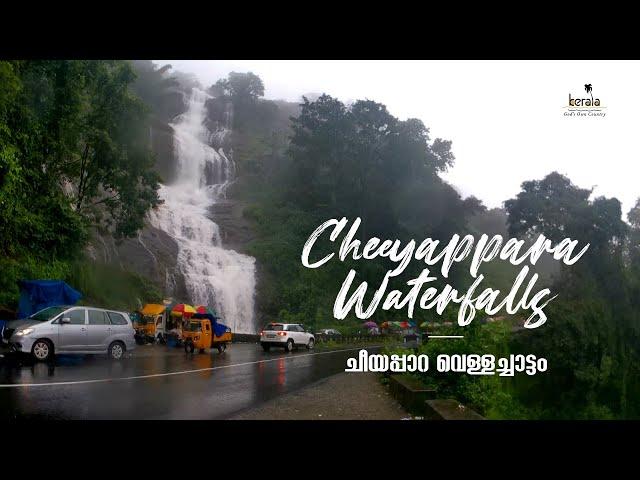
{"x": 76, "y": 160}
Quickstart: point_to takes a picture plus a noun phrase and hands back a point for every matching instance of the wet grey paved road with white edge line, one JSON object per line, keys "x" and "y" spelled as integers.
{"x": 156, "y": 382}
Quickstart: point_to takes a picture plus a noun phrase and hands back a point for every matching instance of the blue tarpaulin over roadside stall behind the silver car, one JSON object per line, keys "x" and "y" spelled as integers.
{"x": 38, "y": 294}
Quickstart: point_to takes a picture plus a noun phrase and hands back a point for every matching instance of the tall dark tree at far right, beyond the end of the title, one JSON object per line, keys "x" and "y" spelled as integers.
{"x": 591, "y": 338}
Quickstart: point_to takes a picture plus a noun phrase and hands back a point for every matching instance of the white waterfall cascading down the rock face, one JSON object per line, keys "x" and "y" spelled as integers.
{"x": 213, "y": 275}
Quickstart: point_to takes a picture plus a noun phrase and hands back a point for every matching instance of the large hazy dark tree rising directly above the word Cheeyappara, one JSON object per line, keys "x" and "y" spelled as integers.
{"x": 360, "y": 160}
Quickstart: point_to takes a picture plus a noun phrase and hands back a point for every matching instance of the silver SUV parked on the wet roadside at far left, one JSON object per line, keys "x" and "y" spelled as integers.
{"x": 68, "y": 329}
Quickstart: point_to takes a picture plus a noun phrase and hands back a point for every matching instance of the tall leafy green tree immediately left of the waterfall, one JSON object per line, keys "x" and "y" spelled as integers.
{"x": 113, "y": 169}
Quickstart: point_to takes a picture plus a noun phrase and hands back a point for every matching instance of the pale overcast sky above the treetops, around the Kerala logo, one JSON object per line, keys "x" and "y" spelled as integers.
{"x": 505, "y": 118}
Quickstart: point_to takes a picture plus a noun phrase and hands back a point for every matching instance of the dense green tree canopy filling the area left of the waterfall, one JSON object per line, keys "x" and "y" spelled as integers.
{"x": 74, "y": 155}
